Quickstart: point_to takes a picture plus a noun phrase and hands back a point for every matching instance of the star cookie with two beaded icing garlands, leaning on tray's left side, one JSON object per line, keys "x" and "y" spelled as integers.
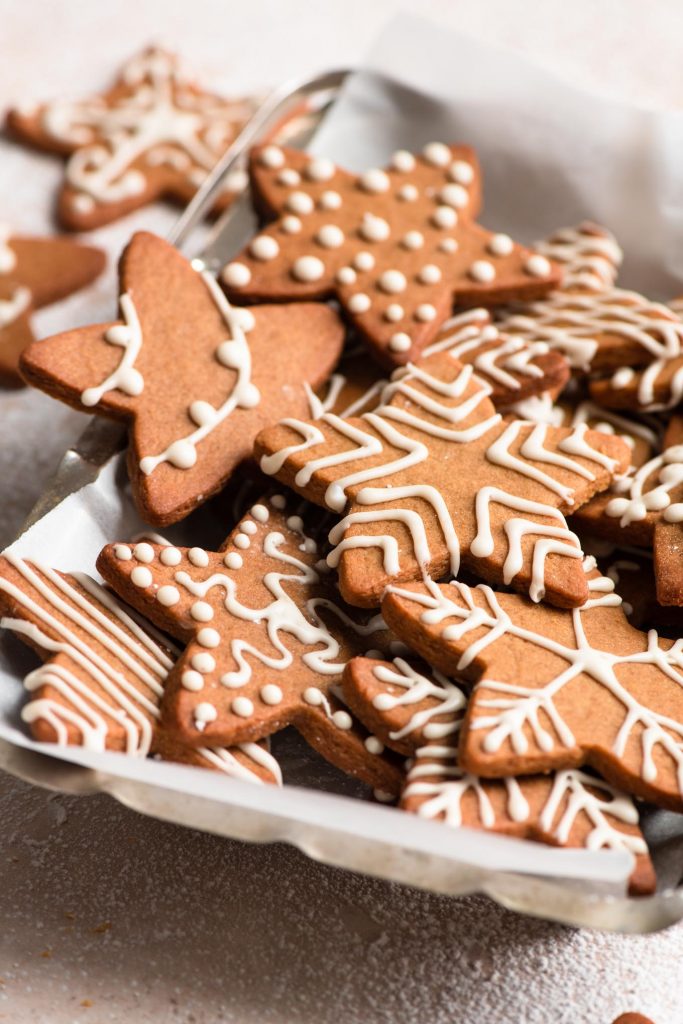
{"x": 195, "y": 378}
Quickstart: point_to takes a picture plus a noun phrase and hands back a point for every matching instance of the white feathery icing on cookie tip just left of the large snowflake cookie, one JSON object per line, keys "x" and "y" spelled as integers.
{"x": 446, "y": 697}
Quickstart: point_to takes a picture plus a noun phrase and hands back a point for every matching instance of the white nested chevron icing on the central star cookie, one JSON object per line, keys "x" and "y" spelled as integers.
{"x": 440, "y": 420}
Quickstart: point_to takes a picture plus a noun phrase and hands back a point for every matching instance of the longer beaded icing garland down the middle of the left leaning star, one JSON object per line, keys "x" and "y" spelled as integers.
{"x": 235, "y": 355}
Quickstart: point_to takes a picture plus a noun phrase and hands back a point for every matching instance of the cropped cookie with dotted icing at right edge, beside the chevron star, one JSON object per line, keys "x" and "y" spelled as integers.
{"x": 645, "y": 507}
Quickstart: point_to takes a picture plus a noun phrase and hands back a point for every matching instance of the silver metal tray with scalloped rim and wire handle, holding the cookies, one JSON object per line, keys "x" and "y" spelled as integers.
{"x": 323, "y": 814}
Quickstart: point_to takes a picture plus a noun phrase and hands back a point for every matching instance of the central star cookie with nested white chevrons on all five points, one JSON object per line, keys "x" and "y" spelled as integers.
{"x": 434, "y": 479}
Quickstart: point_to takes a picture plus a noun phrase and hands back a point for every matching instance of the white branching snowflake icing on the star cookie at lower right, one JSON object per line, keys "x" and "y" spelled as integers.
{"x": 517, "y": 708}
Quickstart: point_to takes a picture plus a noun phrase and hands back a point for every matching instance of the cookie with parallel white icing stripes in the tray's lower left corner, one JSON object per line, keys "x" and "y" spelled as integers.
{"x": 102, "y": 685}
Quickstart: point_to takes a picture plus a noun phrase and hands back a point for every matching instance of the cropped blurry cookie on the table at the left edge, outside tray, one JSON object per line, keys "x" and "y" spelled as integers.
{"x": 35, "y": 273}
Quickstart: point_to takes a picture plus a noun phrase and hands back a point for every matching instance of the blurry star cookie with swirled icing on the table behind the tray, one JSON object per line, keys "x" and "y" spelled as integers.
{"x": 155, "y": 134}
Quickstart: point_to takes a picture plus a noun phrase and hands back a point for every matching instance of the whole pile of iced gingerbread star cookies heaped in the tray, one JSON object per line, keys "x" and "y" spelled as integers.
{"x": 458, "y": 473}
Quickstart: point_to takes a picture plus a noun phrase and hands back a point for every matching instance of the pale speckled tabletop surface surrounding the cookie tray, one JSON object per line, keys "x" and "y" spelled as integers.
{"x": 108, "y": 917}
